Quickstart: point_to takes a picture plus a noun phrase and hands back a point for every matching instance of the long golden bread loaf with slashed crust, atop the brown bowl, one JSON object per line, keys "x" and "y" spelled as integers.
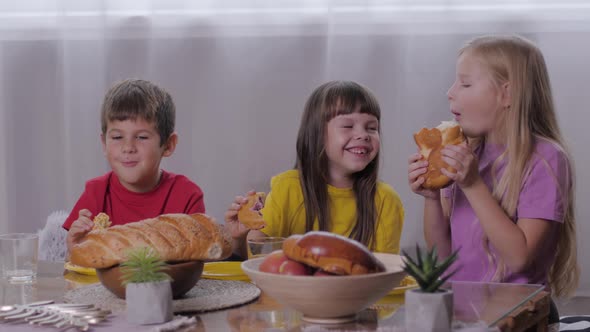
{"x": 175, "y": 237}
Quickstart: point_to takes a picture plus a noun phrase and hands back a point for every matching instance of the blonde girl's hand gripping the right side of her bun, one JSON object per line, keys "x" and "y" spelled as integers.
{"x": 461, "y": 158}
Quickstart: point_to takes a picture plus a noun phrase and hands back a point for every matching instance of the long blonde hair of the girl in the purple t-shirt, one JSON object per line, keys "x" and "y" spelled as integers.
{"x": 531, "y": 118}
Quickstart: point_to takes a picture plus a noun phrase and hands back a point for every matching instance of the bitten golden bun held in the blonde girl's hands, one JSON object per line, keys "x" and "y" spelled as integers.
{"x": 430, "y": 142}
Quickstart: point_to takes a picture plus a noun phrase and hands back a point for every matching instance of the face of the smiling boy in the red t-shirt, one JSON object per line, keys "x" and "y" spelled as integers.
{"x": 134, "y": 152}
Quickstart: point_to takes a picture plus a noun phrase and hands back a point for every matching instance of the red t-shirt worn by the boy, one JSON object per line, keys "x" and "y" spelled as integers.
{"x": 174, "y": 194}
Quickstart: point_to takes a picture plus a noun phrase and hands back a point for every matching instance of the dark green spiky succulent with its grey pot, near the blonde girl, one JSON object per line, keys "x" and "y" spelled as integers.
{"x": 430, "y": 307}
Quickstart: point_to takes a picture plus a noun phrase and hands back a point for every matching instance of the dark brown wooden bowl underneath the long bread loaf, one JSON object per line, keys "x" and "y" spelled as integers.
{"x": 184, "y": 277}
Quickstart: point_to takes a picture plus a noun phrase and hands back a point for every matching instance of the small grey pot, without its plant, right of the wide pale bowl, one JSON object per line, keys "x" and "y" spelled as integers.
{"x": 429, "y": 312}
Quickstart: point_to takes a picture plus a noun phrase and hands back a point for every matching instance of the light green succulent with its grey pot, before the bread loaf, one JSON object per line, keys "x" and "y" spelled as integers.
{"x": 148, "y": 292}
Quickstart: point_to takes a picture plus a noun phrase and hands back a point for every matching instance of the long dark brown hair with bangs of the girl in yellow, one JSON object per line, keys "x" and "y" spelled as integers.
{"x": 326, "y": 102}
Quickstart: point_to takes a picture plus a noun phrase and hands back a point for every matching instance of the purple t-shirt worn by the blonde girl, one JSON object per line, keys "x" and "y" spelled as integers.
{"x": 541, "y": 197}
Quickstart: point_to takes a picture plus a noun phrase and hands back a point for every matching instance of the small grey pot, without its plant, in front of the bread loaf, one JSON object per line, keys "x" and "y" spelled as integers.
{"x": 149, "y": 302}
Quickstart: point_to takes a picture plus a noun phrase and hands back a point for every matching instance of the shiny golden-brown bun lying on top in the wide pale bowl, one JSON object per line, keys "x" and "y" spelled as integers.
{"x": 332, "y": 253}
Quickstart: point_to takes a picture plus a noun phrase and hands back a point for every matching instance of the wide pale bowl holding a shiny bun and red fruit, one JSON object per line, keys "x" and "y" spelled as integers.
{"x": 328, "y": 299}
